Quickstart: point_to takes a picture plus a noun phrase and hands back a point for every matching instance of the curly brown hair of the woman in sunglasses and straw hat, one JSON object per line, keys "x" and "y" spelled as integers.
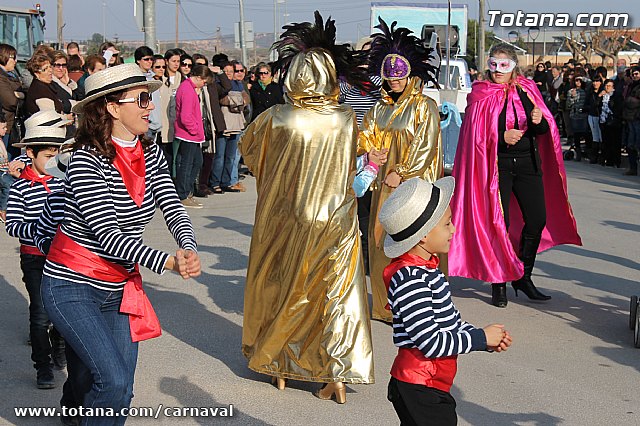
{"x": 96, "y": 125}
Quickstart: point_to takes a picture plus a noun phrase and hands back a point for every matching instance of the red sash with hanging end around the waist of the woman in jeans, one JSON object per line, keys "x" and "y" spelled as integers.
{"x": 143, "y": 322}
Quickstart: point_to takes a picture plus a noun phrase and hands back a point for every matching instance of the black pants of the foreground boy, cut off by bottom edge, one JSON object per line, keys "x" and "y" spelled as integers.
{"x": 421, "y": 405}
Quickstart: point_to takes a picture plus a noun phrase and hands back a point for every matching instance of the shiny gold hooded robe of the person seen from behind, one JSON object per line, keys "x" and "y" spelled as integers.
{"x": 306, "y": 315}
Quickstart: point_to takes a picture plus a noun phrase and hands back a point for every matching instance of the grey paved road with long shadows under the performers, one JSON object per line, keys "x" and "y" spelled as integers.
{"x": 572, "y": 363}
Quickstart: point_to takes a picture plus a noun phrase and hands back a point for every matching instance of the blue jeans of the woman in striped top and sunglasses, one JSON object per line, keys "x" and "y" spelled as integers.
{"x": 89, "y": 320}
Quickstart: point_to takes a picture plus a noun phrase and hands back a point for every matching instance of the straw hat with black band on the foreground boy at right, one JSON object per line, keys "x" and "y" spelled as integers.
{"x": 412, "y": 211}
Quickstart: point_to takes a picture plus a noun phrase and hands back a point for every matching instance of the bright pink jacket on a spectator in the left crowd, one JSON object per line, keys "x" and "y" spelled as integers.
{"x": 188, "y": 125}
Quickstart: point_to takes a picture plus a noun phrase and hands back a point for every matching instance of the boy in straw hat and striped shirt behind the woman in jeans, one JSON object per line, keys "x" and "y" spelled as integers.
{"x": 26, "y": 200}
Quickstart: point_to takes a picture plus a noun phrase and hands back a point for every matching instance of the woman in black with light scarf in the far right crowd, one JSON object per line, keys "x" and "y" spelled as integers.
{"x": 610, "y": 109}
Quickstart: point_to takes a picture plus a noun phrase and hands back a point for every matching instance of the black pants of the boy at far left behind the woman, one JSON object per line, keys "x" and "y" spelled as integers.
{"x": 32, "y": 267}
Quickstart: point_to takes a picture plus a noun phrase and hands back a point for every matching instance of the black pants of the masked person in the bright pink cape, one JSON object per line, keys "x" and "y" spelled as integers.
{"x": 522, "y": 177}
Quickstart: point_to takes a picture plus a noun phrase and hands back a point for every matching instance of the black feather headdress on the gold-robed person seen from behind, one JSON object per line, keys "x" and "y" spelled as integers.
{"x": 301, "y": 37}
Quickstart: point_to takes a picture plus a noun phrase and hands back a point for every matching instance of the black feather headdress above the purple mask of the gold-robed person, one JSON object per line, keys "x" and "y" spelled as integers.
{"x": 423, "y": 62}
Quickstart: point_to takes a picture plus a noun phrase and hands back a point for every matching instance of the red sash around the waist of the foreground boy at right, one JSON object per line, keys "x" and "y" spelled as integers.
{"x": 411, "y": 366}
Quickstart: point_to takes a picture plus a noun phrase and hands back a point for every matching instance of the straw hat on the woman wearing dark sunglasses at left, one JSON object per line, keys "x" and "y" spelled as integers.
{"x": 114, "y": 79}
